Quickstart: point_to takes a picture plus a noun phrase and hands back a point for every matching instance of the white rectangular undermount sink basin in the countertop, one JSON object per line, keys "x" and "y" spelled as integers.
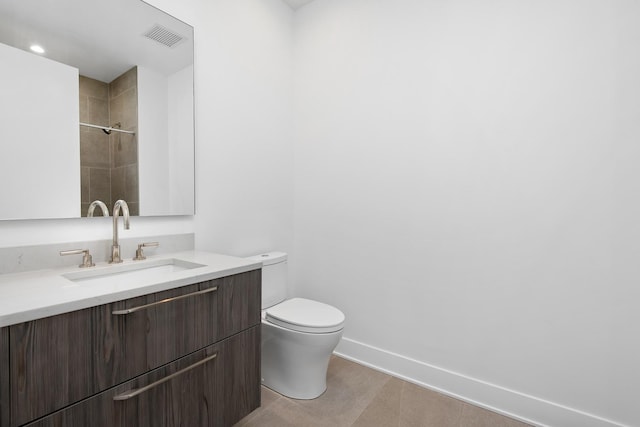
{"x": 131, "y": 273}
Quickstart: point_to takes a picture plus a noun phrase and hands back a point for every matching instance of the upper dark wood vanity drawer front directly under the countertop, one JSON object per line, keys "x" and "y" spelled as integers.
{"x": 62, "y": 359}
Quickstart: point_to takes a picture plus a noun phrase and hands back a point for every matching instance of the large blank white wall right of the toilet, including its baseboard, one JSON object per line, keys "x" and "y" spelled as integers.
{"x": 466, "y": 190}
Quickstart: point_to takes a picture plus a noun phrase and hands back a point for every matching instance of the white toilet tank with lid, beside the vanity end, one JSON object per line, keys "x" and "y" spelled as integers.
{"x": 274, "y": 277}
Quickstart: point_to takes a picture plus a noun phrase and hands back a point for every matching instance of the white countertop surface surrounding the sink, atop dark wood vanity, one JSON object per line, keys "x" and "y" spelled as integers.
{"x": 42, "y": 293}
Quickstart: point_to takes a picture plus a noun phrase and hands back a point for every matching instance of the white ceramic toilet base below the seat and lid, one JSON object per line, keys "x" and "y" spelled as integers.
{"x": 294, "y": 363}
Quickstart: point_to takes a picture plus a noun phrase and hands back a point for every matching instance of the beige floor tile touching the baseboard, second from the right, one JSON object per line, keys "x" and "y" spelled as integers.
{"x": 420, "y": 407}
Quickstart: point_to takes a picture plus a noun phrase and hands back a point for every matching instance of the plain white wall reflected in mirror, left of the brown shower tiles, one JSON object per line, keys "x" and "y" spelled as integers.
{"x": 39, "y": 136}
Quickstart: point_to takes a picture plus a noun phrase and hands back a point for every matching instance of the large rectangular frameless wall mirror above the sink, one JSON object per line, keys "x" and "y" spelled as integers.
{"x": 105, "y": 113}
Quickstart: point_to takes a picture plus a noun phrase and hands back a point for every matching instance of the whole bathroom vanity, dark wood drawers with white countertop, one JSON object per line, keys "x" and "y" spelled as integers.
{"x": 179, "y": 348}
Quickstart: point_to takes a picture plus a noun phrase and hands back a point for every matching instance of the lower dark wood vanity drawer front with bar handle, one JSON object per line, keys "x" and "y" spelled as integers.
{"x": 191, "y": 392}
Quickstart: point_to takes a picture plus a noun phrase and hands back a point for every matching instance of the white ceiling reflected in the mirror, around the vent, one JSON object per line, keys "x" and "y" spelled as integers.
{"x": 101, "y": 39}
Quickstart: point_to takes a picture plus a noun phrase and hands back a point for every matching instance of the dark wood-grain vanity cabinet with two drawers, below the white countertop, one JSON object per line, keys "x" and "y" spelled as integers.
{"x": 193, "y": 350}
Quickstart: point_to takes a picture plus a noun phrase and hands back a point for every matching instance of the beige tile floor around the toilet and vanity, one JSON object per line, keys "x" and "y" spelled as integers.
{"x": 362, "y": 397}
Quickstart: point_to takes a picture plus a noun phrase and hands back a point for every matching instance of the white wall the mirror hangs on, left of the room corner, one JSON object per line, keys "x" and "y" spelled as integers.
{"x": 243, "y": 139}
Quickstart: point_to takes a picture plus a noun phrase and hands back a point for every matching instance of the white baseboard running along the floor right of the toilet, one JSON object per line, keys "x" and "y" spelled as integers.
{"x": 528, "y": 409}
